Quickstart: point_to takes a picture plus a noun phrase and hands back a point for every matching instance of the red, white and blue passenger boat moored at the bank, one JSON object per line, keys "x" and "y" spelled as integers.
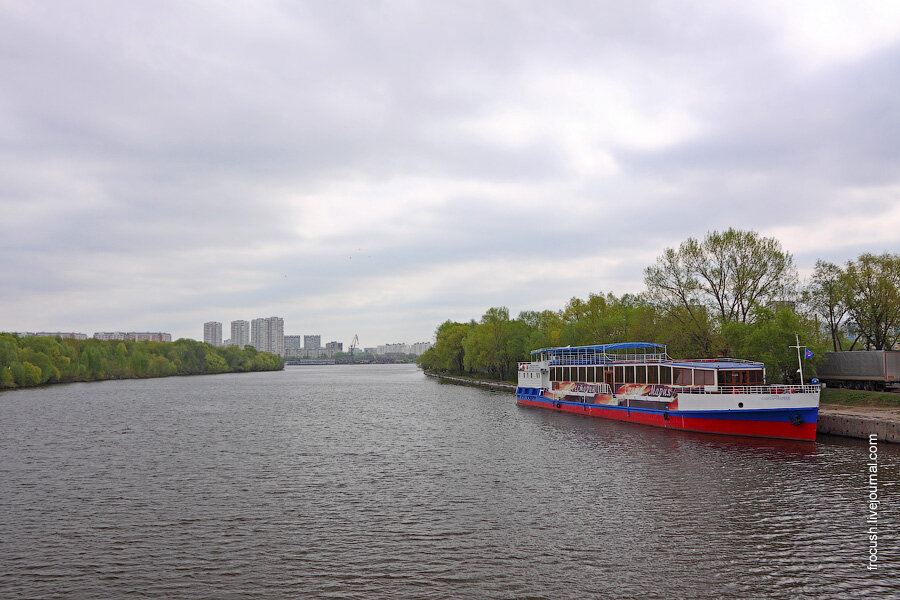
{"x": 639, "y": 382}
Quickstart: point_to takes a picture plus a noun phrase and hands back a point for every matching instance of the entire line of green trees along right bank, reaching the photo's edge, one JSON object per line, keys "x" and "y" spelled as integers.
{"x": 733, "y": 293}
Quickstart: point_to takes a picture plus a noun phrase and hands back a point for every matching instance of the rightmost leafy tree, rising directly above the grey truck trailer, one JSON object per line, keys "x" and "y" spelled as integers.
{"x": 872, "y": 288}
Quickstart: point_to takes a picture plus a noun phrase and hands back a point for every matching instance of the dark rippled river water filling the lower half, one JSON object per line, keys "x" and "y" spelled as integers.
{"x": 377, "y": 482}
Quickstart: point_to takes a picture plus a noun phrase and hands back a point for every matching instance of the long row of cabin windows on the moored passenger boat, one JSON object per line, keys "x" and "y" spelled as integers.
{"x": 654, "y": 374}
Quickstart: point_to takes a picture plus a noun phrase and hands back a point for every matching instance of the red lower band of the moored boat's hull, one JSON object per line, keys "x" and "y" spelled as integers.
{"x": 768, "y": 429}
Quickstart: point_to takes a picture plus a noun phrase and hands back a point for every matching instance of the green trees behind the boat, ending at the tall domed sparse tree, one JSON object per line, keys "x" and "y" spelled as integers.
{"x": 727, "y": 295}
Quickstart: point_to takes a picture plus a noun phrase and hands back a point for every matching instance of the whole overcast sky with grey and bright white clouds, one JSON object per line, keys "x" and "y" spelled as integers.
{"x": 379, "y": 167}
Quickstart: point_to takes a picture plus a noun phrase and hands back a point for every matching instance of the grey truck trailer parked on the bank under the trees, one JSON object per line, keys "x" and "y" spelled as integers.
{"x": 861, "y": 369}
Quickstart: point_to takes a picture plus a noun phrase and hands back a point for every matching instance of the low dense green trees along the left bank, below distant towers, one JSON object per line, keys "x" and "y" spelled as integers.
{"x": 36, "y": 361}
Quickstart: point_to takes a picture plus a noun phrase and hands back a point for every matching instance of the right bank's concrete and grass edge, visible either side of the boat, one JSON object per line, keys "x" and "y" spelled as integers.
{"x": 856, "y": 421}
